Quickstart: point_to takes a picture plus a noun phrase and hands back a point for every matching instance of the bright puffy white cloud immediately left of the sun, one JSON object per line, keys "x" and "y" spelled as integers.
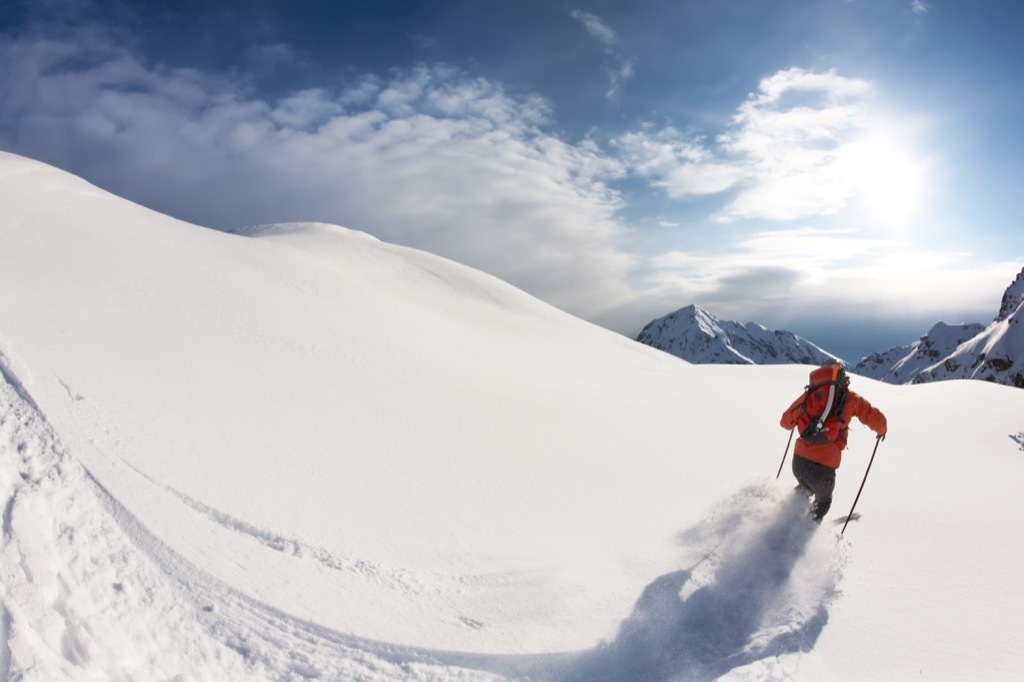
{"x": 783, "y": 155}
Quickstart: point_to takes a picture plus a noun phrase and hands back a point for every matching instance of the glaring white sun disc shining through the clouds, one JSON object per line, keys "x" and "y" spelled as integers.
{"x": 888, "y": 179}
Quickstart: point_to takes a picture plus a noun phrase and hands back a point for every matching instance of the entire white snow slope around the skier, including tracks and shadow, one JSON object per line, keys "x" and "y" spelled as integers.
{"x": 302, "y": 453}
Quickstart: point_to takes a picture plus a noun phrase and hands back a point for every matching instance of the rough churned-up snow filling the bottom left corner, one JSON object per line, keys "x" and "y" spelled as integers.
{"x": 86, "y": 583}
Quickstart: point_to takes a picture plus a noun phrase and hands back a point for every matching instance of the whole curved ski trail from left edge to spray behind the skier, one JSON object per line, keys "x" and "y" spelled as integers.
{"x": 86, "y": 583}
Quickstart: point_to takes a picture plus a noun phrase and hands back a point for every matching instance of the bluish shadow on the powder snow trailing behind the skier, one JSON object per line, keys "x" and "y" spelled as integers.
{"x": 688, "y": 626}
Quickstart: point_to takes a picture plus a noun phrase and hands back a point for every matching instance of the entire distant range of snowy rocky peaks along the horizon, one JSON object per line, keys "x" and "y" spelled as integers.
{"x": 947, "y": 352}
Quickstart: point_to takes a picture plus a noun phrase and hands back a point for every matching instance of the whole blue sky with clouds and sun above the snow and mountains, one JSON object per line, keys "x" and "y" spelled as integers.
{"x": 845, "y": 169}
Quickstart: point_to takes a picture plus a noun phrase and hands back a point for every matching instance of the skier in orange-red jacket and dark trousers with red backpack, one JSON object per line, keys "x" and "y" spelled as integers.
{"x": 823, "y": 414}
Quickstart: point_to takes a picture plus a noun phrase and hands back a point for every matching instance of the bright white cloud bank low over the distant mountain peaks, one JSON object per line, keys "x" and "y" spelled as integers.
{"x": 776, "y": 276}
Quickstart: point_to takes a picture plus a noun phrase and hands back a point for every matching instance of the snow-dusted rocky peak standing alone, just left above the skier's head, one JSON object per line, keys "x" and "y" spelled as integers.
{"x": 697, "y": 336}
